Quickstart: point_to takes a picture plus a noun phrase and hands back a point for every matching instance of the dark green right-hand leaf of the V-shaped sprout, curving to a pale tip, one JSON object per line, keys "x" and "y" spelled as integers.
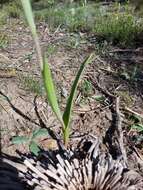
{"x": 67, "y": 112}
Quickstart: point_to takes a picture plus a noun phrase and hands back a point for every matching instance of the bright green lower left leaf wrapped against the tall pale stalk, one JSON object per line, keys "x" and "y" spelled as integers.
{"x": 50, "y": 90}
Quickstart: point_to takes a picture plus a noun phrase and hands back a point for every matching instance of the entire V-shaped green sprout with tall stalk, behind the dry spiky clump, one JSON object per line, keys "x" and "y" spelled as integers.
{"x": 64, "y": 118}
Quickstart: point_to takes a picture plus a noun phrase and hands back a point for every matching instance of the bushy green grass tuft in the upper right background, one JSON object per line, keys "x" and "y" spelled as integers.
{"x": 118, "y": 28}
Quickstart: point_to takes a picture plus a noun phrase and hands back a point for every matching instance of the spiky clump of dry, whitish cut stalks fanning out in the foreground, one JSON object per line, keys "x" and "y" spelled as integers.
{"x": 86, "y": 167}
